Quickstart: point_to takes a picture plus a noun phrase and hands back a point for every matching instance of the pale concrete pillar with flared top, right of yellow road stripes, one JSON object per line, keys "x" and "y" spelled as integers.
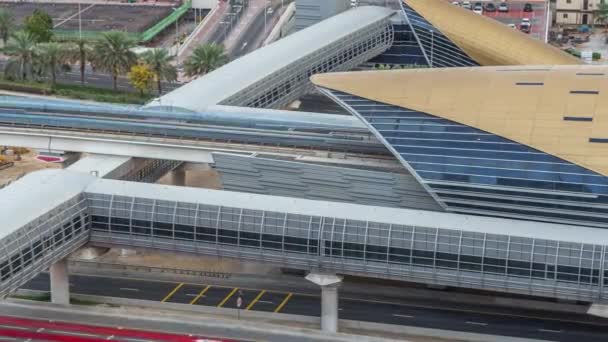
{"x": 329, "y": 299}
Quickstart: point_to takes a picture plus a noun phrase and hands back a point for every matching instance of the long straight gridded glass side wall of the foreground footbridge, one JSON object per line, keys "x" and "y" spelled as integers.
{"x": 427, "y": 254}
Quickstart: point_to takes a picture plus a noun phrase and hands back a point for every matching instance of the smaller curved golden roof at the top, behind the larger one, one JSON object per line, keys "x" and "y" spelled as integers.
{"x": 486, "y": 40}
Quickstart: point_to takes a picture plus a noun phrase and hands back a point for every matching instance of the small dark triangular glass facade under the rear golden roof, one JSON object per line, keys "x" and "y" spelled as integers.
{"x": 418, "y": 42}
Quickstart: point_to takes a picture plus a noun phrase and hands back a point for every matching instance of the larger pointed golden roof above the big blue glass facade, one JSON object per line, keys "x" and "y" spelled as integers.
{"x": 526, "y": 104}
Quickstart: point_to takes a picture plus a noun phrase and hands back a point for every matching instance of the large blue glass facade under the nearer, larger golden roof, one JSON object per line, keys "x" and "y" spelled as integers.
{"x": 472, "y": 171}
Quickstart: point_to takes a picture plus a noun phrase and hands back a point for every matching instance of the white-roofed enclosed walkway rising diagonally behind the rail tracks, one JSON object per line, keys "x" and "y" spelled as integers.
{"x": 282, "y": 69}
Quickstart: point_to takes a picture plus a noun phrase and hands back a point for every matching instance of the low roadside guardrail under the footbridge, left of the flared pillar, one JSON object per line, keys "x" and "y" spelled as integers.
{"x": 148, "y": 269}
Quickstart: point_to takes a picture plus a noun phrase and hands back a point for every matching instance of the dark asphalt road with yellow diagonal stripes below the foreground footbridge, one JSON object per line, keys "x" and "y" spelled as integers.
{"x": 382, "y": 310}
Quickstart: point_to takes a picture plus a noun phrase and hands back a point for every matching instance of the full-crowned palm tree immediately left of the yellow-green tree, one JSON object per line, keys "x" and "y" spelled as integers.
{"x": 112, "y": 53}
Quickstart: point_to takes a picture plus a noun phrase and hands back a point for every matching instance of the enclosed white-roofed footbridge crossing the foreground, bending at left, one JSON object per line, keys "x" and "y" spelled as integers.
{"x": 49, "y": 214}
